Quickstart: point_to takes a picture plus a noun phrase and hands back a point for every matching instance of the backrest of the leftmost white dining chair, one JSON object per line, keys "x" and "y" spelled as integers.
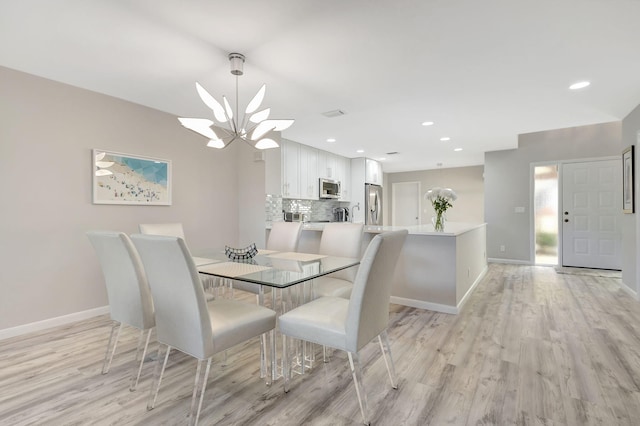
{"x": 128, "y": 291}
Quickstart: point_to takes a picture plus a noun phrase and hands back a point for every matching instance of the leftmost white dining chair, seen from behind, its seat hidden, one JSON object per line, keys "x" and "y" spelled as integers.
{"x": 128, "y": 292}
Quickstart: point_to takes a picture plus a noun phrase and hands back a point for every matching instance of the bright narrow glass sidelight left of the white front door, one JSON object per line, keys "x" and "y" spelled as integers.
{"x": 545, "y": 187}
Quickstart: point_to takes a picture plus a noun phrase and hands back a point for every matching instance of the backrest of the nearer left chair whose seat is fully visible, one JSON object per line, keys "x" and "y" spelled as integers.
{"x": 182, "y": 319}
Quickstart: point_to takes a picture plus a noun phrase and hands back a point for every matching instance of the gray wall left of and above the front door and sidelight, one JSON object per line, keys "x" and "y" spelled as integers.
{"x": 507, "y": 180}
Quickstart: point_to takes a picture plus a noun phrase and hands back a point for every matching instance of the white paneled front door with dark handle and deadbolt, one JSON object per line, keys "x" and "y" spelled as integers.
{"x": 591, "y": 210}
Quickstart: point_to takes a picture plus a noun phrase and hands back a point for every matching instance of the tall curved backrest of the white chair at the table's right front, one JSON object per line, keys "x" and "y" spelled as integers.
{"x": 368, "y": 313}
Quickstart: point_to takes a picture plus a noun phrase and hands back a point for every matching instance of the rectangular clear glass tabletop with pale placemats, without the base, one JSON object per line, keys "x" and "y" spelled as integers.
{"x": 273, "y": 269}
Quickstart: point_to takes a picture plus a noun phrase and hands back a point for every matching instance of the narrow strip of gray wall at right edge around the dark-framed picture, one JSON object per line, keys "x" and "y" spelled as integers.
{"x": 630, "y": 237}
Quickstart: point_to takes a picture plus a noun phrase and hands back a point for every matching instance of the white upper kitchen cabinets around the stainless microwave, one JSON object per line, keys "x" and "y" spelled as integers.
{"x": 293, "y": 171}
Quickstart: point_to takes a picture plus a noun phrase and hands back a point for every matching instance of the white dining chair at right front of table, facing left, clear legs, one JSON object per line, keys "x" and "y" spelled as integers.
{"x": 349, "y": 325}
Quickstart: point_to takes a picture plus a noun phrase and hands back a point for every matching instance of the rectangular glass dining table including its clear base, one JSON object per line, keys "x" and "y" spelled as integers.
{"x": 275, "y": 270}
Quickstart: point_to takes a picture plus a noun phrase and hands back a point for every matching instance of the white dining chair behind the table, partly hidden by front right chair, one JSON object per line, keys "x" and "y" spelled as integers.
{"x": 342, "y": 240}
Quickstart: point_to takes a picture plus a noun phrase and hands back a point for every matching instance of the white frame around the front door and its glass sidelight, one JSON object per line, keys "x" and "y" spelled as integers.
{"x": 532, "y": 223}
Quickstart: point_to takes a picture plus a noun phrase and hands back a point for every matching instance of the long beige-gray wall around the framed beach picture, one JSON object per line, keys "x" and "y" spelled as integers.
{"x": 47, "y": 131}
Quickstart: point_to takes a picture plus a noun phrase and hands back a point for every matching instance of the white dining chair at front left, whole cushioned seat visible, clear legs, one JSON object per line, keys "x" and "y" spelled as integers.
{"x": 184, "y": 319}
